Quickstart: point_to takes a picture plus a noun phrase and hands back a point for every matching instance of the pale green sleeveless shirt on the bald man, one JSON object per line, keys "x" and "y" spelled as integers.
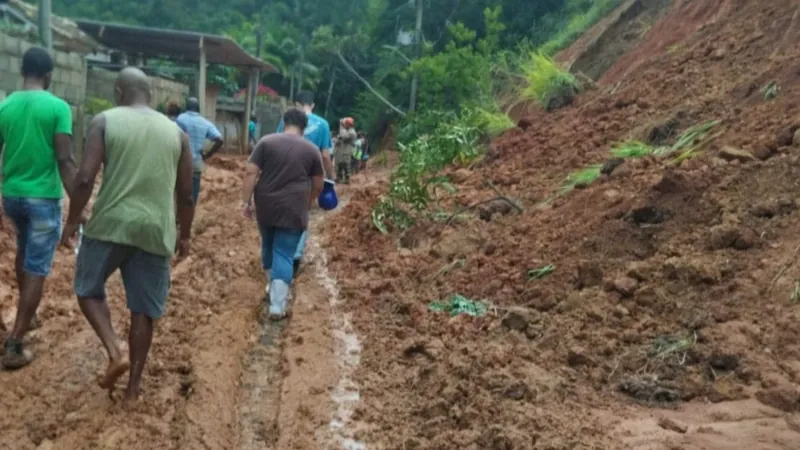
{"x": 136, "y": 202}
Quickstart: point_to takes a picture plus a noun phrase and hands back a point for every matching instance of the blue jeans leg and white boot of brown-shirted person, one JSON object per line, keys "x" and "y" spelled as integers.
{"x": 284, "y": 244}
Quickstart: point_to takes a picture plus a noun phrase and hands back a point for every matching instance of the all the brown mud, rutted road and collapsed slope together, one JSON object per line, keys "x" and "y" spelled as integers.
{"x": 669, "y": 321}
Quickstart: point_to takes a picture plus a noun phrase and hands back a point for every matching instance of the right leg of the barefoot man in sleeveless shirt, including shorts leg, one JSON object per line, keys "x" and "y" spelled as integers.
{"x": 146, "y": 280}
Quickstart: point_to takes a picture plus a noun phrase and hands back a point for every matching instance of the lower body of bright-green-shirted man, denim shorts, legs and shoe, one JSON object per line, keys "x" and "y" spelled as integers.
{"x": 38, "y": 223}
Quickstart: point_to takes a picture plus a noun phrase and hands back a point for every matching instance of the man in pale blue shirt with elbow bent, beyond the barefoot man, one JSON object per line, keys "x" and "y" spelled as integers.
{"x": 199, "y": 129}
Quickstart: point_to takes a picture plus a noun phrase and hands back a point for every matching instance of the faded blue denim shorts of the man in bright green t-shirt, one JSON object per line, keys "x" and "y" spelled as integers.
{"x": 38, "y": 224}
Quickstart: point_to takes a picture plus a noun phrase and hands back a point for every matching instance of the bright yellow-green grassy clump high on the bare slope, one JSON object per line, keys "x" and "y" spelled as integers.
{"x": 548, "y": 83}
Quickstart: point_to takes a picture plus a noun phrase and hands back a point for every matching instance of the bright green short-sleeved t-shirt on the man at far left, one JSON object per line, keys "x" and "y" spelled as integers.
{"x": 28, "y": 122}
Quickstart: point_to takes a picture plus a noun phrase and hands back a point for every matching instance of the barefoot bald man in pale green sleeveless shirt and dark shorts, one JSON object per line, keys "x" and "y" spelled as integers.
{"x": 146, "y": 160}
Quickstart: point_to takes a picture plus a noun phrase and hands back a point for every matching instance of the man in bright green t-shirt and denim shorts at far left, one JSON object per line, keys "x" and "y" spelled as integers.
{"x": 35, "y": 134}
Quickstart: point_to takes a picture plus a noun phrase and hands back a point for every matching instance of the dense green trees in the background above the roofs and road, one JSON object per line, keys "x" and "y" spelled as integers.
{"x": 319, "y": 44}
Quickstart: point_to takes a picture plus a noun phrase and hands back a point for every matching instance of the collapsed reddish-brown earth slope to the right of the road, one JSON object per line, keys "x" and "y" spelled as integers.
{"x": 666, "y": 289}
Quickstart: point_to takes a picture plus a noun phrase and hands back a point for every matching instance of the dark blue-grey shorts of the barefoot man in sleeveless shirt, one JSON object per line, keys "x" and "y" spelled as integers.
{"x": 146, "y": 276}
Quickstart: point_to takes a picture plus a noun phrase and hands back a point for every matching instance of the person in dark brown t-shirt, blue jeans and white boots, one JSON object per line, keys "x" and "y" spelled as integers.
{"x": 284, "y": 177}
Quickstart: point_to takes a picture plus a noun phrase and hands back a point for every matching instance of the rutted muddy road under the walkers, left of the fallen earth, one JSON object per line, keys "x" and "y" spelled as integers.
{"x": 216, "y": 378}
